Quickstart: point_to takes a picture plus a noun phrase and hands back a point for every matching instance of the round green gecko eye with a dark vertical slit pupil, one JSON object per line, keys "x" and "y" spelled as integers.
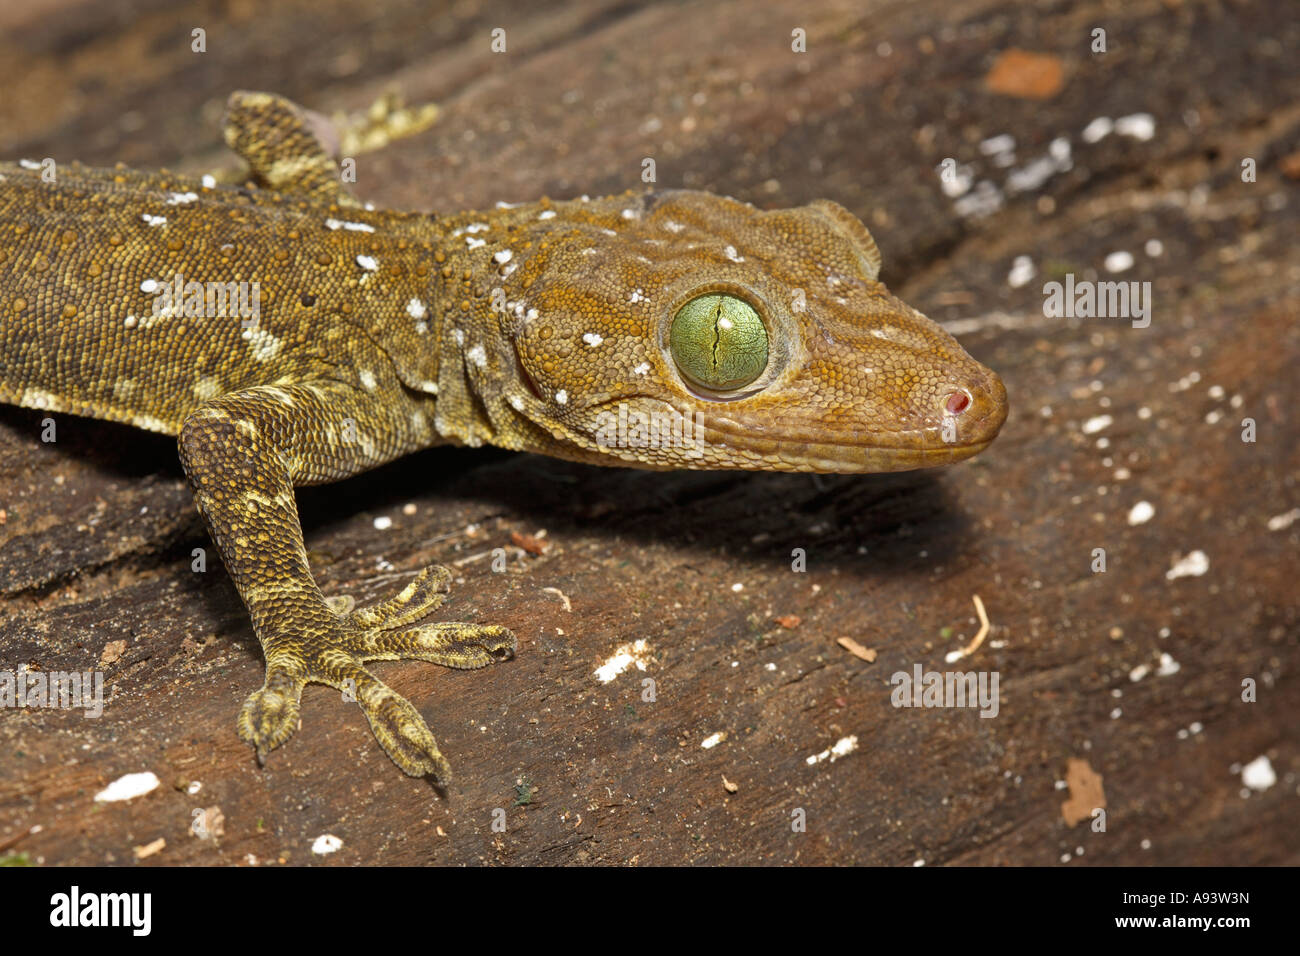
{"x": 720, "y": 343}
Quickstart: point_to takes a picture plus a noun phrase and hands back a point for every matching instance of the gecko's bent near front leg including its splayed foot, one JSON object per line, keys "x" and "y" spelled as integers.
{"x": 244, "y": 455}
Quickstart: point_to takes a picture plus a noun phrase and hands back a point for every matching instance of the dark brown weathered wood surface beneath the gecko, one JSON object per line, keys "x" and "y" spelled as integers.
{"x": 98, "y": 529}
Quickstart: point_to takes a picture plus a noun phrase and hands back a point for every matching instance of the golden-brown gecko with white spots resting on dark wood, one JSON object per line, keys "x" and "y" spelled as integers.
{"x": 288, "y": 335}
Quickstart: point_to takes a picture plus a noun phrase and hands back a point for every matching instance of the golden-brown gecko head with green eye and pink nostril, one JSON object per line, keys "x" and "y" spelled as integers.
{"x": 688, "y": 331}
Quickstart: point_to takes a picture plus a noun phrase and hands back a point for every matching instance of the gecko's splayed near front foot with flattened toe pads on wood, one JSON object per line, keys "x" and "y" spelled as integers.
{"x": 335, "y": 655}
